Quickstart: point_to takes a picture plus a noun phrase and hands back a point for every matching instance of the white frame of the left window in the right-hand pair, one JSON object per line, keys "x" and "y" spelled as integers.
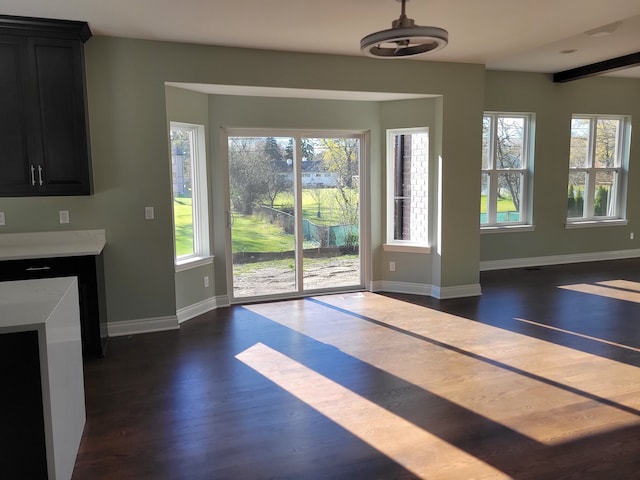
{"x": 492, "y": 171}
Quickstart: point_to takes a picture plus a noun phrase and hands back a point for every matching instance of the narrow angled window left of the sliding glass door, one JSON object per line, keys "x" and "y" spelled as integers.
{"x": 189, "y": 181}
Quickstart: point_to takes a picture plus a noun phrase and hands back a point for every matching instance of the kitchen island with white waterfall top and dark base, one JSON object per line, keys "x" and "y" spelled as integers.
{"x": 42, "y": 405}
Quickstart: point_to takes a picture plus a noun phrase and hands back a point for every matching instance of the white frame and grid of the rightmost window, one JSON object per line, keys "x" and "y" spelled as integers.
{"x": 623, "y": 141}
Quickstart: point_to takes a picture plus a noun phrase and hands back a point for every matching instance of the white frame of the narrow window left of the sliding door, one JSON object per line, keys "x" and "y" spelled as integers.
{"x": 201, "y": 254}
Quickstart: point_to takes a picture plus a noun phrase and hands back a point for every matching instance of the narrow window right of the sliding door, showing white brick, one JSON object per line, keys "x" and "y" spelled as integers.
{"x": 407, "y": 187}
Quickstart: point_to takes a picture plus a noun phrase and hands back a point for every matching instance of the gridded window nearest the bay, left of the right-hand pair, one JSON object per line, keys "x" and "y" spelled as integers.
{"x": 506, "y": 162}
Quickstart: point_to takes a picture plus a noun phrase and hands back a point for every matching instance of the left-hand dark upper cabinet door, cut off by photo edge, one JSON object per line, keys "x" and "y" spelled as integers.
{"x": 15, "y": 172}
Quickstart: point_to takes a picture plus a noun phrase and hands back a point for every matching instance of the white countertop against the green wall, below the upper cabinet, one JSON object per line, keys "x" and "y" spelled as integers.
{"x": 71, "y": 243}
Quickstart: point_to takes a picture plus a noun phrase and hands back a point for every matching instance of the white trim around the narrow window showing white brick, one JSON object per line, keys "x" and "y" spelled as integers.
{"x": 393, "y": 245}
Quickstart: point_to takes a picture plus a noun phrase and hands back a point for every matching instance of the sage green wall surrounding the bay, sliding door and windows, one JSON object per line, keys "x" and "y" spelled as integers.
{"x": 128, "y": 126}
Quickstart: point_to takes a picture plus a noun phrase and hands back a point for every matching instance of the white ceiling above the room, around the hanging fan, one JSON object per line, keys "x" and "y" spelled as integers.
{"x": 525, "y": 35}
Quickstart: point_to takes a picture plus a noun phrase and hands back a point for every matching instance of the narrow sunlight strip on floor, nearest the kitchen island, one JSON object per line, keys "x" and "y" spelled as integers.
{"x": 410, "y": 446}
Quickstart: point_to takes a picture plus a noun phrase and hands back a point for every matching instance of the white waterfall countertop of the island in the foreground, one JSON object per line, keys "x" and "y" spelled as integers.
{"x": 50, "y": 306}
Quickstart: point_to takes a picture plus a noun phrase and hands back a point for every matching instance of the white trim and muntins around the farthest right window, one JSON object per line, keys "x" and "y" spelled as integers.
{"x": 623, "y": 145}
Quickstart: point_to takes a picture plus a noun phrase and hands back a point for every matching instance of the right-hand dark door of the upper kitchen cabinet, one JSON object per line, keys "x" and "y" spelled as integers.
{"x": 57, "y": 67}
